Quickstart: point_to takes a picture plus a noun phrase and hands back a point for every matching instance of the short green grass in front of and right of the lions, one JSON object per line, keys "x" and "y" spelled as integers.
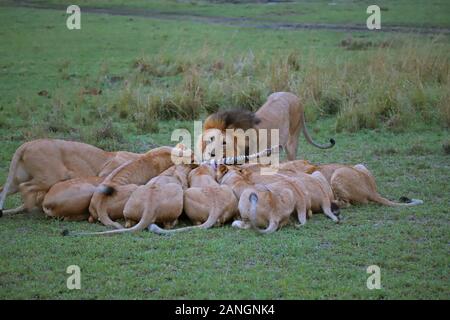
{"x": 320, "y": 260}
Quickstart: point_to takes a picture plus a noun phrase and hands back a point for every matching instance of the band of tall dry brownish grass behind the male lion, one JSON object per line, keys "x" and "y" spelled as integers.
{"x": 383, "y": 85}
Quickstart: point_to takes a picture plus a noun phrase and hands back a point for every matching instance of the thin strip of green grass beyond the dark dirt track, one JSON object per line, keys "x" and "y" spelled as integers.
{"x": 398, "y": 12}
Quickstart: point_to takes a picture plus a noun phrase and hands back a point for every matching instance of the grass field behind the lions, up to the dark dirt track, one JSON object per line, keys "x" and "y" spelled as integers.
{"x": 182, "y": 70}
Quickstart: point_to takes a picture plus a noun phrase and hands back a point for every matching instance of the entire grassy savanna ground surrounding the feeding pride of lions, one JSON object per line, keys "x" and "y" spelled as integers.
{"x": 125, "y": 82}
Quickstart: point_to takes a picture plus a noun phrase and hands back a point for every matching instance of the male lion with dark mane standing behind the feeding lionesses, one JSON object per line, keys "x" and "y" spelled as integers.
{"x": 282, "y": 111}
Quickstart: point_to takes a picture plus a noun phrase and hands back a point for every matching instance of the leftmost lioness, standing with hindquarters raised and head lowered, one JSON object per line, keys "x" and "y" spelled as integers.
{"x": 37, "y": 165}
